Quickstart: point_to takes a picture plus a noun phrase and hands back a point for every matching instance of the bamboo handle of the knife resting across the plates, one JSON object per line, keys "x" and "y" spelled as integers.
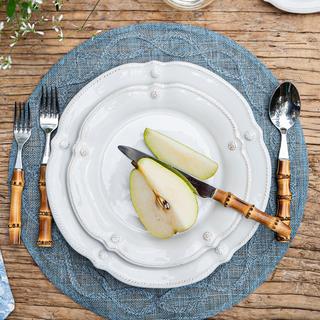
{"x": 251, "y": 212}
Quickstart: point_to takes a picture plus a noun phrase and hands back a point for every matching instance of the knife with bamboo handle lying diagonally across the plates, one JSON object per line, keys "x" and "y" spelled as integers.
{"x": 205, "y": 190}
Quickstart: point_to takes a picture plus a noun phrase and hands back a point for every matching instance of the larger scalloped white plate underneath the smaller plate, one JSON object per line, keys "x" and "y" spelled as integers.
{"x": 249, "y": 137}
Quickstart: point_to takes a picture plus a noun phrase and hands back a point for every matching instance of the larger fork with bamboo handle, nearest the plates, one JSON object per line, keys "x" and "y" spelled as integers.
{"x": 49, "y": 119}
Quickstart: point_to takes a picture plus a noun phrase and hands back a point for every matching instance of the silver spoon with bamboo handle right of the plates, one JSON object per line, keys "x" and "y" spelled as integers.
{"x": 284, "y": 110}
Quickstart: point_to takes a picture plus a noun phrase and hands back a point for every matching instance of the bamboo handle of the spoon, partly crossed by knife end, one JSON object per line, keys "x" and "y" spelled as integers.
{"x": 284, "y": 195}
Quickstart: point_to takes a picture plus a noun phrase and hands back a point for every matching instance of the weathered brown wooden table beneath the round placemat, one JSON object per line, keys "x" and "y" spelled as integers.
{"x": 288, "y": 44}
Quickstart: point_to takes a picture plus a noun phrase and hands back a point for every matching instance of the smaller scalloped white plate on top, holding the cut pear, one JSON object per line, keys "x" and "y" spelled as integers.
{"x": 98, "y": 176}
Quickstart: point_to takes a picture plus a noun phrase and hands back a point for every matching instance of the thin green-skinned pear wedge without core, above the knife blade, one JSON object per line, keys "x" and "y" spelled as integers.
{"x": 179, "y": 155}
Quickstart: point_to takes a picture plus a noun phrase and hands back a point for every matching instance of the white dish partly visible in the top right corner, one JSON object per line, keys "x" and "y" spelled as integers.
{"x": 297, "y": 6}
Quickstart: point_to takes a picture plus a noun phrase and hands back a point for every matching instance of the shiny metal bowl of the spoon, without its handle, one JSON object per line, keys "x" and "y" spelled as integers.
{"x": 285, "y": 106}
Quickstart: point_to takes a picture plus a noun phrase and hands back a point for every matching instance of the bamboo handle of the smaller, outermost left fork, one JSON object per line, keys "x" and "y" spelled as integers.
{"x": 17, "y": 184}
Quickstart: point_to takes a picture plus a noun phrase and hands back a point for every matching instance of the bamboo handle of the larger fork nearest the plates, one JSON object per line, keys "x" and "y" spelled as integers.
{"x": 45, "y": 216}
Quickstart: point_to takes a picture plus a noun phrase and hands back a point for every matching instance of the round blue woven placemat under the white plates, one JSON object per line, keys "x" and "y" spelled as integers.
{"x": 250, "y": 266}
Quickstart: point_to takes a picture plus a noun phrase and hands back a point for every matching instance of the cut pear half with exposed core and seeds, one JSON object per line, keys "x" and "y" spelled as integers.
{"x": 164, "y": 202}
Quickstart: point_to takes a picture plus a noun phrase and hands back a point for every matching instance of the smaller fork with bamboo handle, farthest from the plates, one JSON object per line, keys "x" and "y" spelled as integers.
{"x": 22, "y": 133}
